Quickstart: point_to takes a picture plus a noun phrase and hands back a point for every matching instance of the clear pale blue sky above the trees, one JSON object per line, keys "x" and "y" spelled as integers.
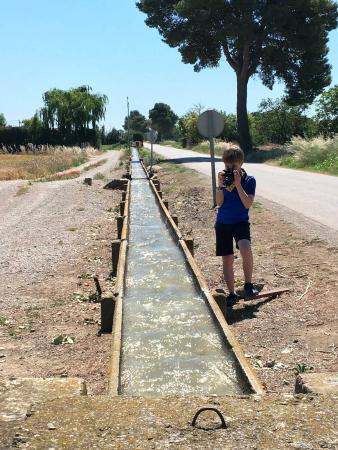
{"x": 106, "y": 44}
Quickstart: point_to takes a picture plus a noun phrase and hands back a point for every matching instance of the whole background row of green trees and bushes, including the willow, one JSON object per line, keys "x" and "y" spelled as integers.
{"x": 275, "y": 121}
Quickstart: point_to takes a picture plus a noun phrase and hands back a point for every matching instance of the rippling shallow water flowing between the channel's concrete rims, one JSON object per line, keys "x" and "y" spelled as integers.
{"x": 170, "y": 342}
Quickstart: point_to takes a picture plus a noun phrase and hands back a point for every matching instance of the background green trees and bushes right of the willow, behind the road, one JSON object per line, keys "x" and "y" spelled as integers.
{"x": 275, "y": 122}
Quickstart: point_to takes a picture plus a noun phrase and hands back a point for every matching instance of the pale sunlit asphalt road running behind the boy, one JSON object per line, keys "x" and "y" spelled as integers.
{"x": 314, "y": 196}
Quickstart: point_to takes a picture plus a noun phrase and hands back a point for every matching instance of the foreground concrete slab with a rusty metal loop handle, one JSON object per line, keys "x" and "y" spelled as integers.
{"x": 256, "y": 422}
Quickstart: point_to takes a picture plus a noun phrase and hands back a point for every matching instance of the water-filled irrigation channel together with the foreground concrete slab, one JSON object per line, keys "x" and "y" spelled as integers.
{"x": 169, "y": 336}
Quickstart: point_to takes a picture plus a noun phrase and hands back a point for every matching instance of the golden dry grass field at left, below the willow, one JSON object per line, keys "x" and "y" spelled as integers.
{"x": 29, "y": 166}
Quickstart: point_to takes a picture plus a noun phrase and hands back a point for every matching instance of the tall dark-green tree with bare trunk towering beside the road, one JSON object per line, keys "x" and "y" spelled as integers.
{"x": 276, "y": 39}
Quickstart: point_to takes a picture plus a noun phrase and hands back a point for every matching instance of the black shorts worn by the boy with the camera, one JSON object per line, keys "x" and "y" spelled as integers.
{"x": 226, "y": 233}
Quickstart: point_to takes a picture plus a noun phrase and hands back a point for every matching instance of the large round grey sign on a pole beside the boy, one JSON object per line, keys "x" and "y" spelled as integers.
{"x": 211, "y": 124}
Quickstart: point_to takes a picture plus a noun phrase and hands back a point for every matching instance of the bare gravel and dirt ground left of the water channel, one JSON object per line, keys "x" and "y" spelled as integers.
{"x": 50, "y": 235}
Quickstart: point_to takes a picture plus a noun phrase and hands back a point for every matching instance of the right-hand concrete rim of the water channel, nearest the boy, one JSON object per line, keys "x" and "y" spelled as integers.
{"x": 246, "y": 368}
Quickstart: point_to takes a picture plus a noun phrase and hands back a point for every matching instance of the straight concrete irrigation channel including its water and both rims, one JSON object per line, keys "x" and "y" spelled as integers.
{"x": 169, "y": 335}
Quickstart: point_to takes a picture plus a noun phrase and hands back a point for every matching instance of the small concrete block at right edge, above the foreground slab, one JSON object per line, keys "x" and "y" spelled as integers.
{"x": 317, "y": 383}
